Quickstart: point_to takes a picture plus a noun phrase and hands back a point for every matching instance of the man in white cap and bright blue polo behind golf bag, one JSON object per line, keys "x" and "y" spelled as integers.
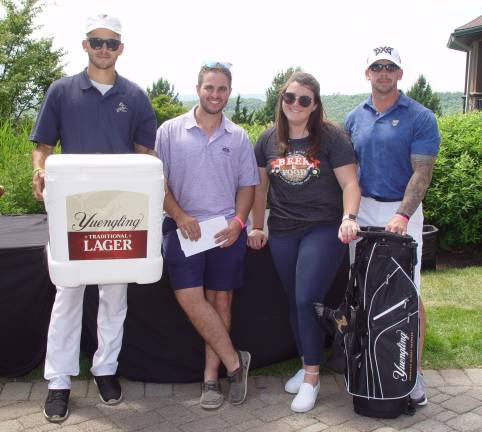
{"x": 396, "y": 142}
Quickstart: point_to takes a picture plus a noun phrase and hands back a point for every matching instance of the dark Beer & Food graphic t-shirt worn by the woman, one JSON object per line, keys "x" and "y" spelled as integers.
{"x": 304, "y": 192}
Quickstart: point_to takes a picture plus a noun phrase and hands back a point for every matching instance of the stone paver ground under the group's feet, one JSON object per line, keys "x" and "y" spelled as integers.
{"x": 455, "y": 404}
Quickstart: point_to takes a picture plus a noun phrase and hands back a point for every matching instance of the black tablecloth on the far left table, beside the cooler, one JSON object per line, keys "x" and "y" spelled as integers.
{"x": 26, "y": 293}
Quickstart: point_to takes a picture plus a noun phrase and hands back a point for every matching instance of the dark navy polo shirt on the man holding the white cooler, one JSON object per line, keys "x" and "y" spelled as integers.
{"x": 85, "y": 121}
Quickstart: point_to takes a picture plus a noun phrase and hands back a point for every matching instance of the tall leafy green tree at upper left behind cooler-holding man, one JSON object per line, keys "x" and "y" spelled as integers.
{"x": 27, "y": 66}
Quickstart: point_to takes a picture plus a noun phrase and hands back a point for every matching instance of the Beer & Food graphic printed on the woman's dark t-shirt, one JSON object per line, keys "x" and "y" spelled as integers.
{"x": 295, "y": 168}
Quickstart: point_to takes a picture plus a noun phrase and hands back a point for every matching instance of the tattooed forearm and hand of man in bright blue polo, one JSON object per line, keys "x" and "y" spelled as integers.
{"x": 414, "y": 193}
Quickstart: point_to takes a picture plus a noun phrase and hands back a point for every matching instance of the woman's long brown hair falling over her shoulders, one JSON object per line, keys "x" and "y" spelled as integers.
{"x": 316, "y": 124}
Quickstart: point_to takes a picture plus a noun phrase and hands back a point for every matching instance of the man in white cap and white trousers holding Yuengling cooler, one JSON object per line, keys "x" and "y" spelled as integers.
{"x": 95, "y": 111}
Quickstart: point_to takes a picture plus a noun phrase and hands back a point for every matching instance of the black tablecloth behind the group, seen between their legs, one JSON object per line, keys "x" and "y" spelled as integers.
{"x": 161, "y": 345}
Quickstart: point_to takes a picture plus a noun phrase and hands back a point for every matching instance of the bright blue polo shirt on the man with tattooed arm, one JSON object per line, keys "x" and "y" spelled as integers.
{"x": 384, "y": 142}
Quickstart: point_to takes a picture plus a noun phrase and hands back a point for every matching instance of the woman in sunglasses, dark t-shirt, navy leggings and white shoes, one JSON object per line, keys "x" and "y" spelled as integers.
{"x": 308, "y": 173}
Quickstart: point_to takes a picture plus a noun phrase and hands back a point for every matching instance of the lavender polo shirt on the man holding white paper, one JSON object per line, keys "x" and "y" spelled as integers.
{"x": 204, "y": 173}
